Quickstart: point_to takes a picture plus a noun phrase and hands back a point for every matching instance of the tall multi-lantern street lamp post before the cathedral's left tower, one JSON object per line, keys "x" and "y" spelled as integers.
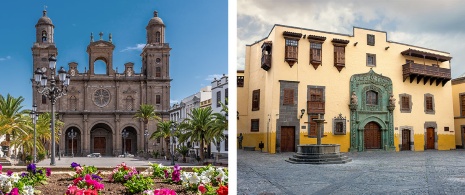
{"x": 53, "y": 92}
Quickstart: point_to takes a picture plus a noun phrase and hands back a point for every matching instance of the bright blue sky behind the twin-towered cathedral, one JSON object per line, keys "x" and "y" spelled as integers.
{"x": 197, "y": 32}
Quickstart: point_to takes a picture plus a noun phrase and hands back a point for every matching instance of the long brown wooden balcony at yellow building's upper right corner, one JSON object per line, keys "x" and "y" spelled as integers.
{"x": 427, "y": 73}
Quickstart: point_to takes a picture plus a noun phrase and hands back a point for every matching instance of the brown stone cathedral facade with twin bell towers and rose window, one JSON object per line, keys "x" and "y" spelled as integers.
{"x": 99, "y": 107}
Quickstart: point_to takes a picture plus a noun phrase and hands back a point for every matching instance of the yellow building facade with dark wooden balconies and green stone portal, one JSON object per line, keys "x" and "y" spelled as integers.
{"x": 374, "y": 94}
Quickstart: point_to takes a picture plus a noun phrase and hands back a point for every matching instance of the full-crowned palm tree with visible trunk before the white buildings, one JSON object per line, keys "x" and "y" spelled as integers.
{"x": 196, "y": 127}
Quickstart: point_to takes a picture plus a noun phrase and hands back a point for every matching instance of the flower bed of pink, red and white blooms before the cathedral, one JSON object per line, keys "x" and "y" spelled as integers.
{"x": 124, "y": 179}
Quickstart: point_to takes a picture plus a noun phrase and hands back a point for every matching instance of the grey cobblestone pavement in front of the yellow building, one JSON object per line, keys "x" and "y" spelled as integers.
{"x": 429, "y": 172}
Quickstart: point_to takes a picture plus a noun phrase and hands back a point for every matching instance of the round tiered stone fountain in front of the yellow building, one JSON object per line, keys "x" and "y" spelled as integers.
{"x": 318, "y": 153}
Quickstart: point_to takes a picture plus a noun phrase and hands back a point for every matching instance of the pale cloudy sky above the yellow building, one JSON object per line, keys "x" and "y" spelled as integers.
{"x": 425, "y": 26}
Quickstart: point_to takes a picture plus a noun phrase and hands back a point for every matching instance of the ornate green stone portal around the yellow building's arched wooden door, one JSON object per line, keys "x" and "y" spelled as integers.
{"x": 371, "y": 124}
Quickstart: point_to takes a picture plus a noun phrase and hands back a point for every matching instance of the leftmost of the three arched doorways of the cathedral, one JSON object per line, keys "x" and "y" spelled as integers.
{"x": 72, "y": 145}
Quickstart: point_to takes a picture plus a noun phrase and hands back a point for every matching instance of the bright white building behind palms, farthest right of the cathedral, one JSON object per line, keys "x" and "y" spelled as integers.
{"x": 220, "y": 94}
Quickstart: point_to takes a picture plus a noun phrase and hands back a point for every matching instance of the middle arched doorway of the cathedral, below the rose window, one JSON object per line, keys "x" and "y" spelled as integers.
{"x": 101, "y": 139}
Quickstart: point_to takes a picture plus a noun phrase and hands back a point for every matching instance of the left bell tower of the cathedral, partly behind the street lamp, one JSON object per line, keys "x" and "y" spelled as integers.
{"x": 42, "y": 49}
